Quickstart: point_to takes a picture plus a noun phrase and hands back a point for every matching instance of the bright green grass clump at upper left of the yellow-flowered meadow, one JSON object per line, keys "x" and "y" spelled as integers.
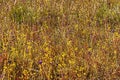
{"x": 21, "y": 13}
